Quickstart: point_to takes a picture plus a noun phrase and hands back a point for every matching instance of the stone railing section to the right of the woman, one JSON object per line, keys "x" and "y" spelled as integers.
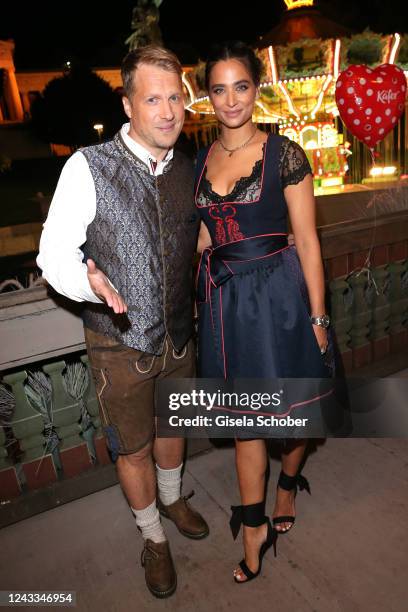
{"x": 364, "y": 238}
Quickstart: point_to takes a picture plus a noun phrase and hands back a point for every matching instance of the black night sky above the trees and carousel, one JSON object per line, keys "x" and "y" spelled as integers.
{"x": 48, "y": 33}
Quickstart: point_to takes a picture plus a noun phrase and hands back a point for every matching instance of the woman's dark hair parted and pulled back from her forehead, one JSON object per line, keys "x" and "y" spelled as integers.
{"x": 234, "y": 49}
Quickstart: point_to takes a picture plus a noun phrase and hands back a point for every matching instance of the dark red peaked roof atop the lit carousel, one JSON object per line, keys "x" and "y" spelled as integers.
{"x": 305, "y": 22}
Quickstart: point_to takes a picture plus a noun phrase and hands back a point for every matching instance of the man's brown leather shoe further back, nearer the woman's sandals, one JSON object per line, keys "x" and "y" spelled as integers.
{"x": 187, "y": 520}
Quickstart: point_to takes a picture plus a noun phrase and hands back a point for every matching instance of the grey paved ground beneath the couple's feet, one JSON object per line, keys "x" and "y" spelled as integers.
{"x": 347, "y": 552}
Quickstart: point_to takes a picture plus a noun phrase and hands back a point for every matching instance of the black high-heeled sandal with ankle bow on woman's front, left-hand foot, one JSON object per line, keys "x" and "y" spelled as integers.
{"x": 252, "y": 515}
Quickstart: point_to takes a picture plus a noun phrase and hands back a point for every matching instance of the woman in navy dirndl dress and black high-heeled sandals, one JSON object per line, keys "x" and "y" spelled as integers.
{"x": 255, "y": 293}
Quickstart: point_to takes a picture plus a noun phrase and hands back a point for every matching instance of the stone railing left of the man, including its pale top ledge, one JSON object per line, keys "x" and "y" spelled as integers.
{"x": 43, "y": 333}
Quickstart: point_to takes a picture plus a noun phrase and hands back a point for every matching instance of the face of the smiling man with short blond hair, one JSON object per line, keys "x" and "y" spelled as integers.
{"x": 155, "y": 108}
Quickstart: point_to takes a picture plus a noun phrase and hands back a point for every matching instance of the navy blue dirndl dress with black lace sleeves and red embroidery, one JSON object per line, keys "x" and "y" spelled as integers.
{"x": 251, "y": 294}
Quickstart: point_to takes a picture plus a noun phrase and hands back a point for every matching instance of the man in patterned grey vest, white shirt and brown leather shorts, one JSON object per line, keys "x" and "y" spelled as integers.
{"x": 130, "y": 200}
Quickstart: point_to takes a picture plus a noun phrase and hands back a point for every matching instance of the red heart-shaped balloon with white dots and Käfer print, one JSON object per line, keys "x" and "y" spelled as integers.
{"x": 371, "y": 101}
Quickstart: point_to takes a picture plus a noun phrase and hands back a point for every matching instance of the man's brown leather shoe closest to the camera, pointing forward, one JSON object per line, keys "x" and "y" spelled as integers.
{"x": 160, "y": 574}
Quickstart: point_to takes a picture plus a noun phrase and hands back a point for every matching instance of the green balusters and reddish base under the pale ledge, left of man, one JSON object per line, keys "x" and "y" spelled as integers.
{"x": 34, "y": 463}
